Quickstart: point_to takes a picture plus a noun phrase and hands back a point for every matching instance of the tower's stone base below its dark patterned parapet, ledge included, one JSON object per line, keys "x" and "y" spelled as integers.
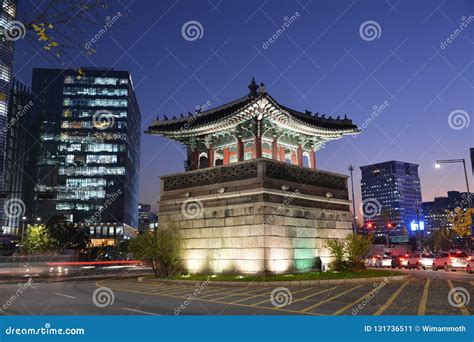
{"x": 256, "y": 230}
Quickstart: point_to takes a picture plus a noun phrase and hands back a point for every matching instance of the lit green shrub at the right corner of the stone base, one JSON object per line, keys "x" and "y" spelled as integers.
{"x": 348, "y": 254}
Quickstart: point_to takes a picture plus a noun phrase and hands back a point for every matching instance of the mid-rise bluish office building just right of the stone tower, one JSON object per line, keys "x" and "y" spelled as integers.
{"x": 391, "y": 195}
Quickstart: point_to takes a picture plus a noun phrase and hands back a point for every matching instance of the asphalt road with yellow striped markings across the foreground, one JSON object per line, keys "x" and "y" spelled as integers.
{"x": 416, "y": 296}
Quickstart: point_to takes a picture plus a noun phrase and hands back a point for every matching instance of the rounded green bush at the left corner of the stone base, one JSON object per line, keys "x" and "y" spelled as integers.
{"x": 161, "y": 249}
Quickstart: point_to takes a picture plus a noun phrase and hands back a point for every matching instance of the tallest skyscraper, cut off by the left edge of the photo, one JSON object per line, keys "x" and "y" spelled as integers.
{"x": 8, "y": 10}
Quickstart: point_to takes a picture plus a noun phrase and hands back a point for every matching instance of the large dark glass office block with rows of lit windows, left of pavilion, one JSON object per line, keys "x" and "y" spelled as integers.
{"x": 87, "y": 163}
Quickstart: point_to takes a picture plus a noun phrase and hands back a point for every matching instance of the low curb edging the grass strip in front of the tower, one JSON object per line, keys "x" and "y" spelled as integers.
{"x": 297, "y": 283}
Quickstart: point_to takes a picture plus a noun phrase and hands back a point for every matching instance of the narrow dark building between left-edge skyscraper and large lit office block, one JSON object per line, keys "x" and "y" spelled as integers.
{"x": 18, "y": 133}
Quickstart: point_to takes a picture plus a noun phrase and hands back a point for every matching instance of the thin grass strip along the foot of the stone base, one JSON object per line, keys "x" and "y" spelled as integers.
{"x": 290, "y": 277}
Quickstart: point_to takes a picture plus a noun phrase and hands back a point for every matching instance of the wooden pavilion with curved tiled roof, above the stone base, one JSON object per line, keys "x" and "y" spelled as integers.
{"x": 253, "y": 126}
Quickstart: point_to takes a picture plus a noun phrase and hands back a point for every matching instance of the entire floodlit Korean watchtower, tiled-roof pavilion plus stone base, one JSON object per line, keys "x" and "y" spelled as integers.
{"x": 251, "y": 200}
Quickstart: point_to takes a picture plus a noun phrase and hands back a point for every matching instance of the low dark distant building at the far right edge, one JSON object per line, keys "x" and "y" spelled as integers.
{"x": 435, "y": 212}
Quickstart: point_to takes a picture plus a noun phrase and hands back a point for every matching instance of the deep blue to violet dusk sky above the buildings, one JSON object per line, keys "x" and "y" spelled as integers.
{"x": 320, "y": 63}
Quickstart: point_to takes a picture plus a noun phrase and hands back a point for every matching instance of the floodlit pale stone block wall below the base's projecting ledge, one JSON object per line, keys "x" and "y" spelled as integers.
{"x": 256, "y": 237}
